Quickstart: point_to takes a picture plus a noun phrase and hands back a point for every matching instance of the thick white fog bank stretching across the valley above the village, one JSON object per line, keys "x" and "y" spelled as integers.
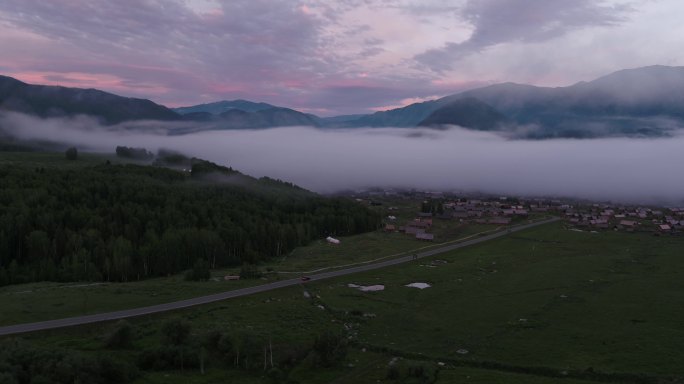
{"x": 641, "y": 170}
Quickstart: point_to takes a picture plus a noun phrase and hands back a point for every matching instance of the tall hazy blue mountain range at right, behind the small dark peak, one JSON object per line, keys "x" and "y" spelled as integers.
{"x": 644, "y": 101}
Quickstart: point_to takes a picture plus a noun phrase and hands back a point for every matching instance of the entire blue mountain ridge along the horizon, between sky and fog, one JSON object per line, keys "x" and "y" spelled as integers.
{"x": 646, "y": 101}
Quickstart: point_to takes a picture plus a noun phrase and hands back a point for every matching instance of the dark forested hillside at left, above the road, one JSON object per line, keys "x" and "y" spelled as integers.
{"x": 128, "y": 222}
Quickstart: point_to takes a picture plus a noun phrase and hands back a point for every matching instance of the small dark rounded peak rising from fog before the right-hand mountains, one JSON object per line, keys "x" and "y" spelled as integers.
{"x": 468, "y": 112}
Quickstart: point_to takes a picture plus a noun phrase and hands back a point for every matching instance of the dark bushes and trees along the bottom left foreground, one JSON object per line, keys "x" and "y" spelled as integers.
{"x": 177, "y": 346}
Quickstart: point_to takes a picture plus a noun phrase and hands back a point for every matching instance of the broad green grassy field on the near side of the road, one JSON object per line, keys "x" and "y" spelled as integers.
{"x": 563, "y": 306}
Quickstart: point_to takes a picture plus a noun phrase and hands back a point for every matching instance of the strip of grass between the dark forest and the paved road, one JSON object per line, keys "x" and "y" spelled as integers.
{"x": 45, "y": 301}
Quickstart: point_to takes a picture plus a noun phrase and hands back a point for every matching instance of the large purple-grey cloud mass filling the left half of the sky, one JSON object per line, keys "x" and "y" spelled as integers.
{"x": 267, "y": 45}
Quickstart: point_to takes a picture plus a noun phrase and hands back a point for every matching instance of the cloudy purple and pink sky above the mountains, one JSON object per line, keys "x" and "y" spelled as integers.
{"x": 329, "y": 57}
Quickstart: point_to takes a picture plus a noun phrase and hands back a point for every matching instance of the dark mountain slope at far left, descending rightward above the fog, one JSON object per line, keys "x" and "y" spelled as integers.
{"x": 53, "y": 101}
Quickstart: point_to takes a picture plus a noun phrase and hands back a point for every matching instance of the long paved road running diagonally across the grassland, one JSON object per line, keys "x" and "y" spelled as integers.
{"x": 72, "y": 321}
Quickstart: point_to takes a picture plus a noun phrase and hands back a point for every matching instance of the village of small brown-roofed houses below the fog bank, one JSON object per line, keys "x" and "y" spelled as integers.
{"x": 505, "y": 211}
